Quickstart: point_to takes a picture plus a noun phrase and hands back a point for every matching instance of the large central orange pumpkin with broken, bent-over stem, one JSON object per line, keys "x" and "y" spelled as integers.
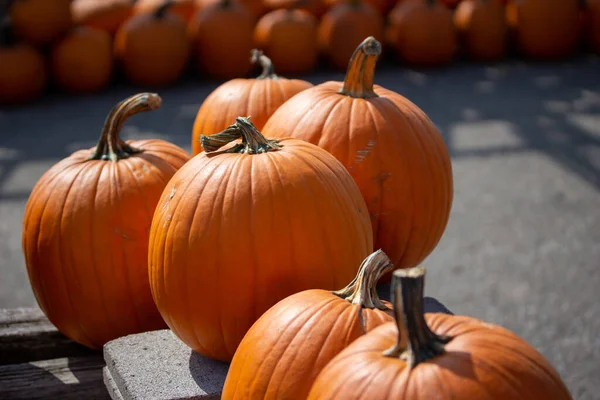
{"x": 238, "y": 230}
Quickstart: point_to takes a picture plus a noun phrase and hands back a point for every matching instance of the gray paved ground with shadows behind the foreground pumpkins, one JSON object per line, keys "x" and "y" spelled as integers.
{"x": 522, "y": 248}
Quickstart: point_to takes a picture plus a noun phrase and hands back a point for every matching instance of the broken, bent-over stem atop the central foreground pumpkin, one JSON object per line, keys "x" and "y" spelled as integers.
{"x": 253, "y": 142}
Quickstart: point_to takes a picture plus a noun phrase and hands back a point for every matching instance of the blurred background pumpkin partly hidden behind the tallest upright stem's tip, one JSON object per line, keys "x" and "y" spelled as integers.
{"x": 344, "y": 27}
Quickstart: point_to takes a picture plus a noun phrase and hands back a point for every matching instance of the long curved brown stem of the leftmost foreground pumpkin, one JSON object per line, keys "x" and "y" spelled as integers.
{"x": 110, "y": 147}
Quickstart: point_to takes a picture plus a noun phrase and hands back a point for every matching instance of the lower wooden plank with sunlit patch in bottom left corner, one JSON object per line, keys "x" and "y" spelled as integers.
{"x": 66, "y": 378}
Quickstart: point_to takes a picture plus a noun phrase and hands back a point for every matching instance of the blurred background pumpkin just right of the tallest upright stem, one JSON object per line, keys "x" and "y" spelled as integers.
{"x": 421, "y": 33}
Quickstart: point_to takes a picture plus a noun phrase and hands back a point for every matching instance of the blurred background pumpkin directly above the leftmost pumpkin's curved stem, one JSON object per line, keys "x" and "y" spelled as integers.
{"x": 153, "y": 49}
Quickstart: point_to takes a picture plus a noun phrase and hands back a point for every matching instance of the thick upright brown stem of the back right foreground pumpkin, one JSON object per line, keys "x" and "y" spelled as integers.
{"x": 361, "y": 70}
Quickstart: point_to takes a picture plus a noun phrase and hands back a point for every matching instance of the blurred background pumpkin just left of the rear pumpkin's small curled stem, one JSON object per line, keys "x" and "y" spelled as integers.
{"x": 222, "y": 39}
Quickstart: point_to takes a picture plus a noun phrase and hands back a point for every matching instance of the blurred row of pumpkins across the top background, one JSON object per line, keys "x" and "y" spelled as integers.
{"x": 154, "y": 41}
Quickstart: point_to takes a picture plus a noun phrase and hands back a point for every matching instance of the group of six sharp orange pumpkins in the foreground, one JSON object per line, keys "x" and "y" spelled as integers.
{"x": 264, "y": 249}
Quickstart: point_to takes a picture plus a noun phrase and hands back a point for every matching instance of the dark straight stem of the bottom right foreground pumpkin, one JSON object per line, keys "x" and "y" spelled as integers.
{"x": 416, "y": 342}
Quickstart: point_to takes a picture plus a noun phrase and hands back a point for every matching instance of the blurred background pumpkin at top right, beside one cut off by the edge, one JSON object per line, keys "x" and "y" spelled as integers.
{"x": 545, "y": 29}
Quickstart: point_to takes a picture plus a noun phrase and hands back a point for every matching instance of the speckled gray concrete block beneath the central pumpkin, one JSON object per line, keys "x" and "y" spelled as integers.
{"x": 158, "y": 366}
